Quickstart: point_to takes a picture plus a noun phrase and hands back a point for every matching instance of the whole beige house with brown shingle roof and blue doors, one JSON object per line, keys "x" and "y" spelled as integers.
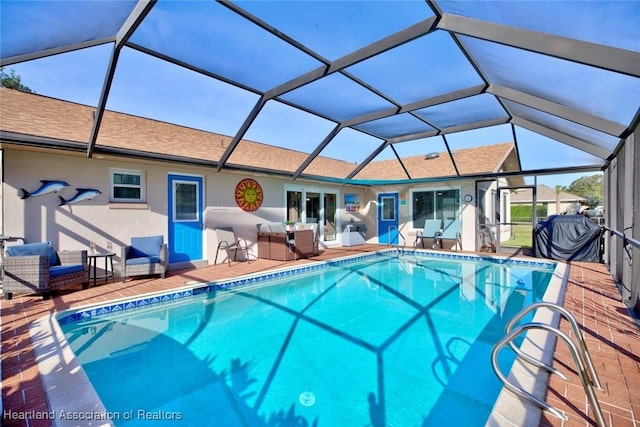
{"x": 148, "y": 177}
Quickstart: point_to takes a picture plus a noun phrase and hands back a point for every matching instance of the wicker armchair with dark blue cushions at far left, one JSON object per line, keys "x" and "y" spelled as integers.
{"x": 38, "y": 268}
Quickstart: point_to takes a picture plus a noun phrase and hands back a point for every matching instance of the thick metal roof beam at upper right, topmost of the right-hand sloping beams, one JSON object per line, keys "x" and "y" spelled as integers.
{"x": 592, "y": 54}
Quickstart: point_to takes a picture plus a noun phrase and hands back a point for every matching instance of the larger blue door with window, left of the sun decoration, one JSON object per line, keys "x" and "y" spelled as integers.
{"x": 185, "y": 218}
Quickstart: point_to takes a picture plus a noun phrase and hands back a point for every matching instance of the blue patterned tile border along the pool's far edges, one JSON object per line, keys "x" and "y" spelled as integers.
{"x": 83, "y": 314}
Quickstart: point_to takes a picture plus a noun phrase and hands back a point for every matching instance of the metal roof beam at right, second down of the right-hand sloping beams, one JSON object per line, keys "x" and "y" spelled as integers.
{"x": 558, "y": 110}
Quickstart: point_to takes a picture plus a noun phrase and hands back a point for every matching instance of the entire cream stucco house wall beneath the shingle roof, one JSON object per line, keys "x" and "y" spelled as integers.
{"x": 75, "y": 226}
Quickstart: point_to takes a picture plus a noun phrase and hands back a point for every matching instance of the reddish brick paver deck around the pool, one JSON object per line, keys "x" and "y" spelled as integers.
{"x": 612, "y": 336}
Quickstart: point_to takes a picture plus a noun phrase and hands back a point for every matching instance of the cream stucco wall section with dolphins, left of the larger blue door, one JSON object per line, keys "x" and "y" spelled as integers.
{"x": 75, "y": 226}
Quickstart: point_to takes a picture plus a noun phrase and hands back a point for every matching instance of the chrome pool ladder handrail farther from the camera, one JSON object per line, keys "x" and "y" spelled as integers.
{"x": 583, "y": 351}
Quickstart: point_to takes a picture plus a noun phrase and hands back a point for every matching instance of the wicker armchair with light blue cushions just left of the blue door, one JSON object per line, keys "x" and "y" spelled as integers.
{"x": 144, "y": 256}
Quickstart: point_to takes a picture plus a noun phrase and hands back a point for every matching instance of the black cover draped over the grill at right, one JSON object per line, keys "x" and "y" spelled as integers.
{"x": 568, "y": 238}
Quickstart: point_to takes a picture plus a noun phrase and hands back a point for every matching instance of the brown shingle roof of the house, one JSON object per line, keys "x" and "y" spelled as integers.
{"x": 40, "y": 116}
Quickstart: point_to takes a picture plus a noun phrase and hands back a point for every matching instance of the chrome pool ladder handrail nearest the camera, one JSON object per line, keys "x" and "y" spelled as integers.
{"x": 584, "y": 376}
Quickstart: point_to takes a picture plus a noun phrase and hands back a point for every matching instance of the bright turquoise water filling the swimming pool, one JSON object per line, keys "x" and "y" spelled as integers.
{"x": 385, "y": 341}
